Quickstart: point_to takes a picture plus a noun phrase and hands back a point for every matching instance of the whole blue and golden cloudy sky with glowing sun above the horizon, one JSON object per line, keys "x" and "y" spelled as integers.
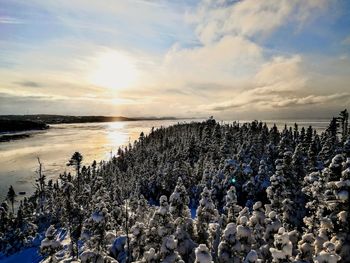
{"x": 229, "y": 59}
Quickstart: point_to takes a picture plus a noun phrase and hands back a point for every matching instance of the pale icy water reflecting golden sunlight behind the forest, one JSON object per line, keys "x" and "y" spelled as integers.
{"x": 95, "y": 141}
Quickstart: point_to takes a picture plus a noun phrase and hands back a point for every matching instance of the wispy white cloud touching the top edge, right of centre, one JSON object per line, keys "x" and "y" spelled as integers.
{"x": 250, "y": 18}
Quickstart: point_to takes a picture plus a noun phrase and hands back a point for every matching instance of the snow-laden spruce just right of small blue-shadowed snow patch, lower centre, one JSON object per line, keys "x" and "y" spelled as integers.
{"x": 206, "y": 214}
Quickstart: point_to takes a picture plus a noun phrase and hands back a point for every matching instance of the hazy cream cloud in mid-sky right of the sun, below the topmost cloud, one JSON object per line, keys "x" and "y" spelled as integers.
{"x": 225, "y": 60}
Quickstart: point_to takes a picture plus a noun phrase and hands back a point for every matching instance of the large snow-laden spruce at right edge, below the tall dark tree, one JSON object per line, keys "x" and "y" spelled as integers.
{"x": 326, "y": 202}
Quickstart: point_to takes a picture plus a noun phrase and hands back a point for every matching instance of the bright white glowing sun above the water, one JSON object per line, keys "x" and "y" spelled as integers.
{"x": 114, "y": 70}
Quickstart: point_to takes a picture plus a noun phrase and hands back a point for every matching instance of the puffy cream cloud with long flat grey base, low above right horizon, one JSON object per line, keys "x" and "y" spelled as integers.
{"x": 280, "y": 83}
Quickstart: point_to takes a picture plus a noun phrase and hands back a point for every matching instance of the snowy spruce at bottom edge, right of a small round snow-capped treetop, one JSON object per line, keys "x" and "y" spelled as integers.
{"x": 230, "y": 247}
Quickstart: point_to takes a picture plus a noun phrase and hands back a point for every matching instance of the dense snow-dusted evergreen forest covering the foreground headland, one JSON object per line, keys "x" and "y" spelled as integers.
{"x": 195, "y": 192}
